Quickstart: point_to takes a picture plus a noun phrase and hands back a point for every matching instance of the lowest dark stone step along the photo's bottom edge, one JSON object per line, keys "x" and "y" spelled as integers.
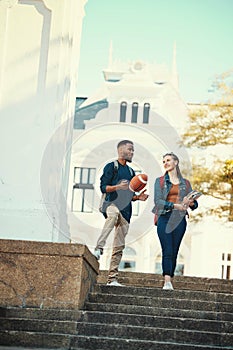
{"x": 28, "y": 340}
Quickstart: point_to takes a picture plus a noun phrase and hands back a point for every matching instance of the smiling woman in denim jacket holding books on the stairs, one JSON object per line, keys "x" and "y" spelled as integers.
{"x": 172, "y": 204}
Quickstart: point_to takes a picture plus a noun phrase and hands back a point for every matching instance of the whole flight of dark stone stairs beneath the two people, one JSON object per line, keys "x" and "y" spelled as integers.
{"x": 198, "y": 314}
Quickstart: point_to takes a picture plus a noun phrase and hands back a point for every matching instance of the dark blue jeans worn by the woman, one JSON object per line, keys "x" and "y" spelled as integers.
{"x": 171, "y": 229}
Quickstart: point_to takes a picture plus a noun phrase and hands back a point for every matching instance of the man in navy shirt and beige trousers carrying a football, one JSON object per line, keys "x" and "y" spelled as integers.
{"x": 118, "y": 206}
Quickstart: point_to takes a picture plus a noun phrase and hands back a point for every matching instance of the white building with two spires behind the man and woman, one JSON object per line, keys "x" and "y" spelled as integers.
{"x": 141, "y": 102}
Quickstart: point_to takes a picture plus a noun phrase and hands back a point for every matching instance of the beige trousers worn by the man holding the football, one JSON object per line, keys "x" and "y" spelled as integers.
{"x": 114, "y": 219}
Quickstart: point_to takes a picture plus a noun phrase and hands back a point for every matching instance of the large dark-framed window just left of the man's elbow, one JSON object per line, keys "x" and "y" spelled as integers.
{"x": 83, "y": 190}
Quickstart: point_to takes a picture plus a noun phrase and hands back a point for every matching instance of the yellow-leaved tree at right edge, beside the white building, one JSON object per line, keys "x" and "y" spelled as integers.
{"x": 210, "y": 126}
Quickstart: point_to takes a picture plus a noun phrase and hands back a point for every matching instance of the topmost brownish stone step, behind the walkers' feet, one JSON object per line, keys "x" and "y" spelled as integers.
{"x": 179, "y": 282}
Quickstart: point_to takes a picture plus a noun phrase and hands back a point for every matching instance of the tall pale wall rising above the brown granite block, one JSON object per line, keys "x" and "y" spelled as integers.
{"x": 39, "y": 55}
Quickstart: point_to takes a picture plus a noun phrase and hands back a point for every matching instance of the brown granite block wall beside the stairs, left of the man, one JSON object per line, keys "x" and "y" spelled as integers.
{"x": 45, "y": 275}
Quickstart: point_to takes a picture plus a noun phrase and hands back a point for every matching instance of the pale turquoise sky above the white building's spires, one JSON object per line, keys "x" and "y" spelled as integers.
{"x": 147, "y": 30}
